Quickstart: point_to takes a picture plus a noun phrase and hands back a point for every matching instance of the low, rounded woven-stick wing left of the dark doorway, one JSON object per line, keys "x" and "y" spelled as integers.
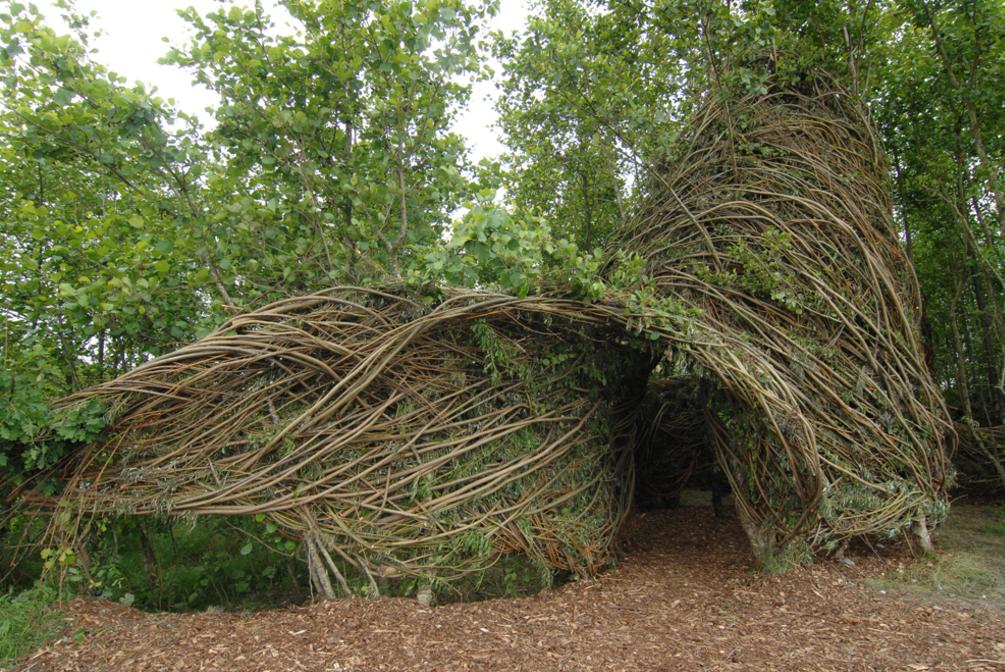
{"x": 394, "y": 438}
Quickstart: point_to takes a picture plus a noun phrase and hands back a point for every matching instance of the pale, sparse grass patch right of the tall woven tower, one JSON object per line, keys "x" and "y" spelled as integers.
{"x": 968, "y": 566}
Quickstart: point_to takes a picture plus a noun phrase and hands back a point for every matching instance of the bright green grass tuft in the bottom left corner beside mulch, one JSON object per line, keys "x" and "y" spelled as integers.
{"x": 29, "y": 620}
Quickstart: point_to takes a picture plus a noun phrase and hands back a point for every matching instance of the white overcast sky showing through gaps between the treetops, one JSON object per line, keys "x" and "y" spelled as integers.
{"x": 133, "y": 43}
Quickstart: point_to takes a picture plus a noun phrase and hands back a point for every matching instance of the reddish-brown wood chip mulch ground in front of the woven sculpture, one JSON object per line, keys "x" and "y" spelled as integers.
{"x": 683, "y": 599}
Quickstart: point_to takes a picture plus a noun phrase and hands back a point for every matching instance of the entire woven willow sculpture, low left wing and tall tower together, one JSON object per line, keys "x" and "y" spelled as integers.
{"x": 429, "y": 433}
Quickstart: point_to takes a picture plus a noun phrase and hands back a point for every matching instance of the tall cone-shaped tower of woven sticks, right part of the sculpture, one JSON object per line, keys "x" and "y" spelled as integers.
{"x": 771, "y": 241}
